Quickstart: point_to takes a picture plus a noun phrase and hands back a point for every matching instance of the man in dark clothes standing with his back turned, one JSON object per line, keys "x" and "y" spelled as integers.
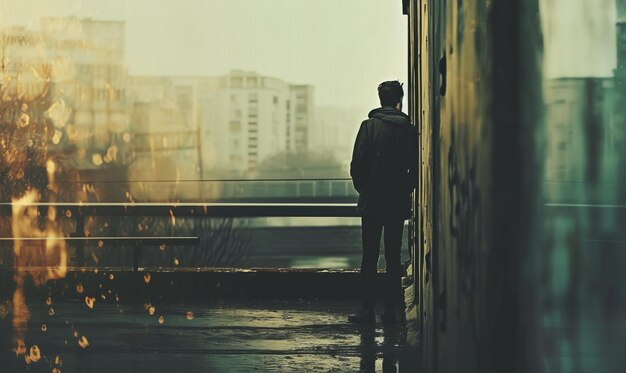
{"x": 384, "y": 172}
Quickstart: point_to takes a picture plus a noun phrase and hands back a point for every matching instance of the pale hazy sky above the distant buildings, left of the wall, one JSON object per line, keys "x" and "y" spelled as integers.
{"x": 343, "y": 47}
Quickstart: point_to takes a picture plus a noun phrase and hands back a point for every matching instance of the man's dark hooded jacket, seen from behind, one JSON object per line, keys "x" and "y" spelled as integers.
{"x": 384, "y": 164}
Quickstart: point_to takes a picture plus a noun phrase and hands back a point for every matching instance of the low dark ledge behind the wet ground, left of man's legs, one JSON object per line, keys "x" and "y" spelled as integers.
{"x": 197, "y": 284}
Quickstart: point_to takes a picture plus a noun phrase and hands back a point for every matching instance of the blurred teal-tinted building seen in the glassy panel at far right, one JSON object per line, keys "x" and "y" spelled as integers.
{"x": 580, "y": 132}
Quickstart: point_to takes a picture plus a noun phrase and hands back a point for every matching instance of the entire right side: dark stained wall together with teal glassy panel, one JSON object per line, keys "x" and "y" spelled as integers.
{"x": 519, "y": 205}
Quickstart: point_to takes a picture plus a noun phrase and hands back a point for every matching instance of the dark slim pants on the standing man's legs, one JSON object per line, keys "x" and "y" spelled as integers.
{"x": 371, "y": 231}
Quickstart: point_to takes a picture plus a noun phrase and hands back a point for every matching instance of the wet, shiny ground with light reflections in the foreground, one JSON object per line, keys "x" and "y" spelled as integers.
{"x": 221, "y": 336}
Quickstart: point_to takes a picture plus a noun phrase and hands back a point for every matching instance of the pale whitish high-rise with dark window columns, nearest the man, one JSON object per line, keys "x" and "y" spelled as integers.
{"x": 246, "y": 117}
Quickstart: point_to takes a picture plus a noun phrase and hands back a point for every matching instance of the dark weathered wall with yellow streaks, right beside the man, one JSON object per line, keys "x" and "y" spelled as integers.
{"x": 477, "y": 102}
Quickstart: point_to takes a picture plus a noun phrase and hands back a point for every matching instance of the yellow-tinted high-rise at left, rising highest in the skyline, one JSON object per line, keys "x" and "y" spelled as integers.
{"x": 90, "y": 82}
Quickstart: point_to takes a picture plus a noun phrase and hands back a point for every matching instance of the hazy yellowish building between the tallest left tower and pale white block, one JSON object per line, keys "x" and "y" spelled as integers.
{"x": 165, "y": 142}
